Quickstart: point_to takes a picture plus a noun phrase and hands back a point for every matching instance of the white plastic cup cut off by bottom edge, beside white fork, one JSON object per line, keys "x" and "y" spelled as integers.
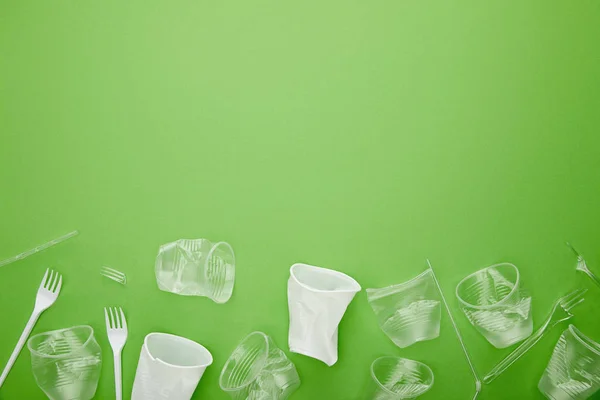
{"x": 170, "y": 367}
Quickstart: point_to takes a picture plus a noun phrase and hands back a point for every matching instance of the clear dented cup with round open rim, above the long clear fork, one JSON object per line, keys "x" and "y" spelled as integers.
{"x": 496, "y": 305}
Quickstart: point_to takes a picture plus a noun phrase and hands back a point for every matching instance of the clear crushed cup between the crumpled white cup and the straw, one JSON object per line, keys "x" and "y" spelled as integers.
{"x": 408, "y": 312}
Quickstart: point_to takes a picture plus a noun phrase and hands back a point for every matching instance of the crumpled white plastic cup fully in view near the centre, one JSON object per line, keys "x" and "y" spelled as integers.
{"x": 317, "y": 300}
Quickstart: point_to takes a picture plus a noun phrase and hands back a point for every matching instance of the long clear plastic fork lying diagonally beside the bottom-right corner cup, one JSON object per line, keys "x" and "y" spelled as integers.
{"x": 561, "y": 311}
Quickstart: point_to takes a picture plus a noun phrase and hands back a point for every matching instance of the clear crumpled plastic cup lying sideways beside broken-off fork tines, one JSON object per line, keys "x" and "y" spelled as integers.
{"x": 196, "y": 267}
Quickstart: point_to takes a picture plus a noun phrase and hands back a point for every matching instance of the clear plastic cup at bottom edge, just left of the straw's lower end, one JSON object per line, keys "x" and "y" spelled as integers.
{"x": 395, "y": 378}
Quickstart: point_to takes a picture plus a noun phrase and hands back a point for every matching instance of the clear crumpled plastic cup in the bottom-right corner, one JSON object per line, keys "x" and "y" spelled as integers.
{"x": 573, "y": 372}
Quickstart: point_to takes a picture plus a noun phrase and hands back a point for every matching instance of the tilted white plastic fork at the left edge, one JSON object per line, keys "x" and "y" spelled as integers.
{"x": 46, "y": 296}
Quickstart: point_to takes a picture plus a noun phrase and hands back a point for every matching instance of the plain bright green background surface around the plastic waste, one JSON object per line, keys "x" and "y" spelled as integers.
{"x": 363, "y": 136}
